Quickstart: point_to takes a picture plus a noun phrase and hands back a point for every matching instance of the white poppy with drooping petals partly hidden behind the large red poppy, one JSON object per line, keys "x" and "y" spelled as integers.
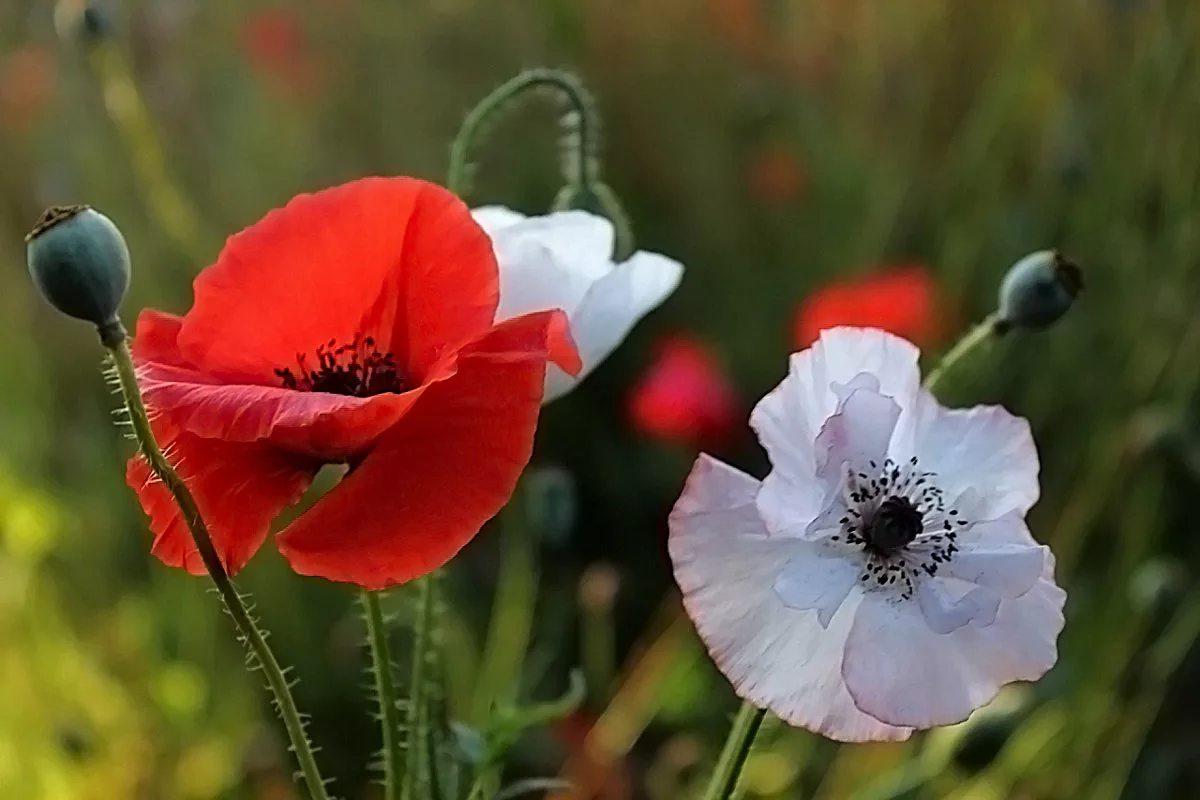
{"x": 565, "y": 261}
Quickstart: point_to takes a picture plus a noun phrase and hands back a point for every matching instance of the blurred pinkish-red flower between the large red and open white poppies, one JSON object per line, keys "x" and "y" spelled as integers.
{"x": 685, "y": 396}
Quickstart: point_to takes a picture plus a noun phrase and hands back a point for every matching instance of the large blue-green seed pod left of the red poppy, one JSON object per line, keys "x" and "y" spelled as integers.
{"x": 81, "y": 264}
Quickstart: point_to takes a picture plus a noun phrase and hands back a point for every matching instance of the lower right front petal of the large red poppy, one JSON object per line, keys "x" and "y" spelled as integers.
{"x": 436, "y": 478}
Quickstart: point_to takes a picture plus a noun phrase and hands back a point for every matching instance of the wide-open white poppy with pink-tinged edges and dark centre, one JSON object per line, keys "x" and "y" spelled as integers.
{"x": 881, "y": 579}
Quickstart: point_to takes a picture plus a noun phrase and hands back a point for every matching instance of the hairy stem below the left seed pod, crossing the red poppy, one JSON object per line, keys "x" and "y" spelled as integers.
{"x": 116, "y": 341}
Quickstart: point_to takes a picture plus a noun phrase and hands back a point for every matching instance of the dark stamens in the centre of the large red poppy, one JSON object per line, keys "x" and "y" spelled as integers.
{"x": 358, "y": 370}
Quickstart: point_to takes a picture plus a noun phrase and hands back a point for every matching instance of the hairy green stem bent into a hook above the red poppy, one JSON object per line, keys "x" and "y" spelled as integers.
{"x": 580, "y": 164}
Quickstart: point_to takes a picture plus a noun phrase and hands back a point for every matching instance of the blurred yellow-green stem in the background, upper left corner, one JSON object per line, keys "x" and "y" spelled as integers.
{"x": 171, "y": 208}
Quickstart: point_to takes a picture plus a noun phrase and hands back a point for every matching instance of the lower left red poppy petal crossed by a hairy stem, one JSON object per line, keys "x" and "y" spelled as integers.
{"x": 239, "y": 489}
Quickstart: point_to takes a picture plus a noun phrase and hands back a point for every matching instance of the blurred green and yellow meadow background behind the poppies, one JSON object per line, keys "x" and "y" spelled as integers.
{"x": 772, "y": 146}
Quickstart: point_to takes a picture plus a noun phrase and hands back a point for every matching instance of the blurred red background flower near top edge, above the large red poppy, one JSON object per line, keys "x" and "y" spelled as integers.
{"x": 279, "y": 50}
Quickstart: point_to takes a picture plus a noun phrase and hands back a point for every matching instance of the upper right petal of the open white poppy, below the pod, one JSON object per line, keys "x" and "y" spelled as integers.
{"x": 983, "y": 448}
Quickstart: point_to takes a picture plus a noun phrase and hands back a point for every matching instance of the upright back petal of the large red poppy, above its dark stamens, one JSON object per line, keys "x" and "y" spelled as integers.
{"x": 325, "y": 266}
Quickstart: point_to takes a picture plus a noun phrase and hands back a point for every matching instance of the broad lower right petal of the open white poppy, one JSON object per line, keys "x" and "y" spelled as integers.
{"x": 901, "y": 671}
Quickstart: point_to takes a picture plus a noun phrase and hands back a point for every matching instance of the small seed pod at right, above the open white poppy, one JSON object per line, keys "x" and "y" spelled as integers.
{"x": 1037, "y": 291}
